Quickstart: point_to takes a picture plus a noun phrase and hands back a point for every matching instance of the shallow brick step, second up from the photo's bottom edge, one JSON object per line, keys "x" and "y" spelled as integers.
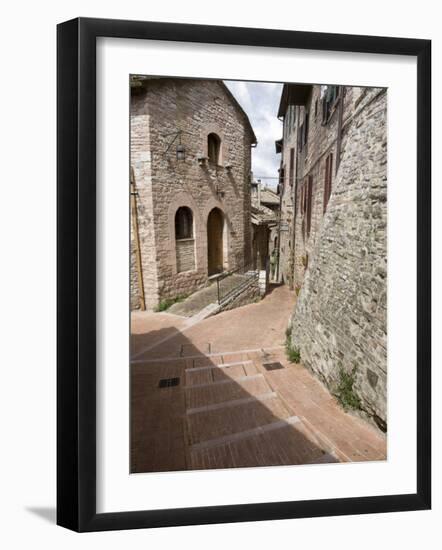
{"x": 213, "y": 423}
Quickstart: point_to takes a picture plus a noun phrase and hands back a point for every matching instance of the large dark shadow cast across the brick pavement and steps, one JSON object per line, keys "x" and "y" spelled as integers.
{"x": 222, "y": 412}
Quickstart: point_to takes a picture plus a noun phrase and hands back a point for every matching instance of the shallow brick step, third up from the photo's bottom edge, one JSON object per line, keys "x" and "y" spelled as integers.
{"x": 213, "y": 393}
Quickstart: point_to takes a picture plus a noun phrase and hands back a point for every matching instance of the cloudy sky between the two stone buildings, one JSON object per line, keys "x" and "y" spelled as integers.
{"x": 261, "y": 101}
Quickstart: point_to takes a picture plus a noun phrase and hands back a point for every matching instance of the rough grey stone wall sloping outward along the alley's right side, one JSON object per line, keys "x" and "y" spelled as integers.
{"x": 340, "y": 317}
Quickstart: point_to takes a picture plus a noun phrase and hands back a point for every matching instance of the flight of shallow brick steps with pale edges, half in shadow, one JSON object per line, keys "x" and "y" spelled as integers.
{"x": 235, "y": 416}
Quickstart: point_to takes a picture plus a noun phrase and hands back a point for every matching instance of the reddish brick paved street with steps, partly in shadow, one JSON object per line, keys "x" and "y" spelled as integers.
{"x": 228, "y": 410}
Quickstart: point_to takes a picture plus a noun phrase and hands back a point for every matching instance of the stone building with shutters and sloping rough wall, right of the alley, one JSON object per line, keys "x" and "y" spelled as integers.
{"x": 333, "y": 189}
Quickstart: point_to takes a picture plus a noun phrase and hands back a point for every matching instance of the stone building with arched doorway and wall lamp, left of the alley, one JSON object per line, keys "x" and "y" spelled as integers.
{"x": 191, "y": 164}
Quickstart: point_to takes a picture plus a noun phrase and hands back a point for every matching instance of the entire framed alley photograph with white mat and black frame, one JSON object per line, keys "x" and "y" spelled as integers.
{"x": 243, "y": 274}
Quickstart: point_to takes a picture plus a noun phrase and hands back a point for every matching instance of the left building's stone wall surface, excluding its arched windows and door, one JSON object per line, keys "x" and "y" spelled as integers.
{"x": 197, "y": 107}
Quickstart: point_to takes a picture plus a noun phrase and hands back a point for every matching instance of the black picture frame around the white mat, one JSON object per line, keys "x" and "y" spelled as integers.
{"x": 76, "y": 274}
